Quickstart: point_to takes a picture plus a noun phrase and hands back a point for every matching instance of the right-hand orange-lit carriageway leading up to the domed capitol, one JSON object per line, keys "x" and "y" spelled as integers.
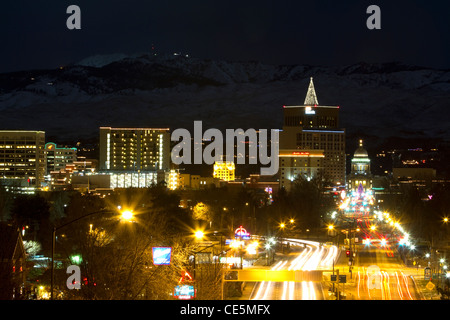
{"x": 379, "y": 273}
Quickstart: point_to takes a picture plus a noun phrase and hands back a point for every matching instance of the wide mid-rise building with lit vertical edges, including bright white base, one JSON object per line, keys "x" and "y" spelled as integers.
{"x": 134, "y": 157}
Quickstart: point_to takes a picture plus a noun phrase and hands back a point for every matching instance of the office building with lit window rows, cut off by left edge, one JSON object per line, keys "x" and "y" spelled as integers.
{"x": 22, "y": 157}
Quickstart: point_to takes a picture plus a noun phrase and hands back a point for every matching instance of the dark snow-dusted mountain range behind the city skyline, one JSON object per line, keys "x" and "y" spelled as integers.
{"x": 380, "y": 100}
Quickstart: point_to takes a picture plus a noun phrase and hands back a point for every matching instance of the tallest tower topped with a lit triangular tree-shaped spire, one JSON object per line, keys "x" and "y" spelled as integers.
{"x": 311, "y": 142}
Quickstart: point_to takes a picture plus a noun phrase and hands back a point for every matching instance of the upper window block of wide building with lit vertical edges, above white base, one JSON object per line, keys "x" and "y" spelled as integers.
{"x": 134, "y": 149}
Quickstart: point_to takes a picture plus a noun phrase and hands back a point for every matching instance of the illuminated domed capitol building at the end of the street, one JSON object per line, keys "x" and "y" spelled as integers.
{"x": 360, "y": 178}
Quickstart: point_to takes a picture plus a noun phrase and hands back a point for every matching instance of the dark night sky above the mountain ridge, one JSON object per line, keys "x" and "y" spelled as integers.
{"x": 318, "y": 32}
